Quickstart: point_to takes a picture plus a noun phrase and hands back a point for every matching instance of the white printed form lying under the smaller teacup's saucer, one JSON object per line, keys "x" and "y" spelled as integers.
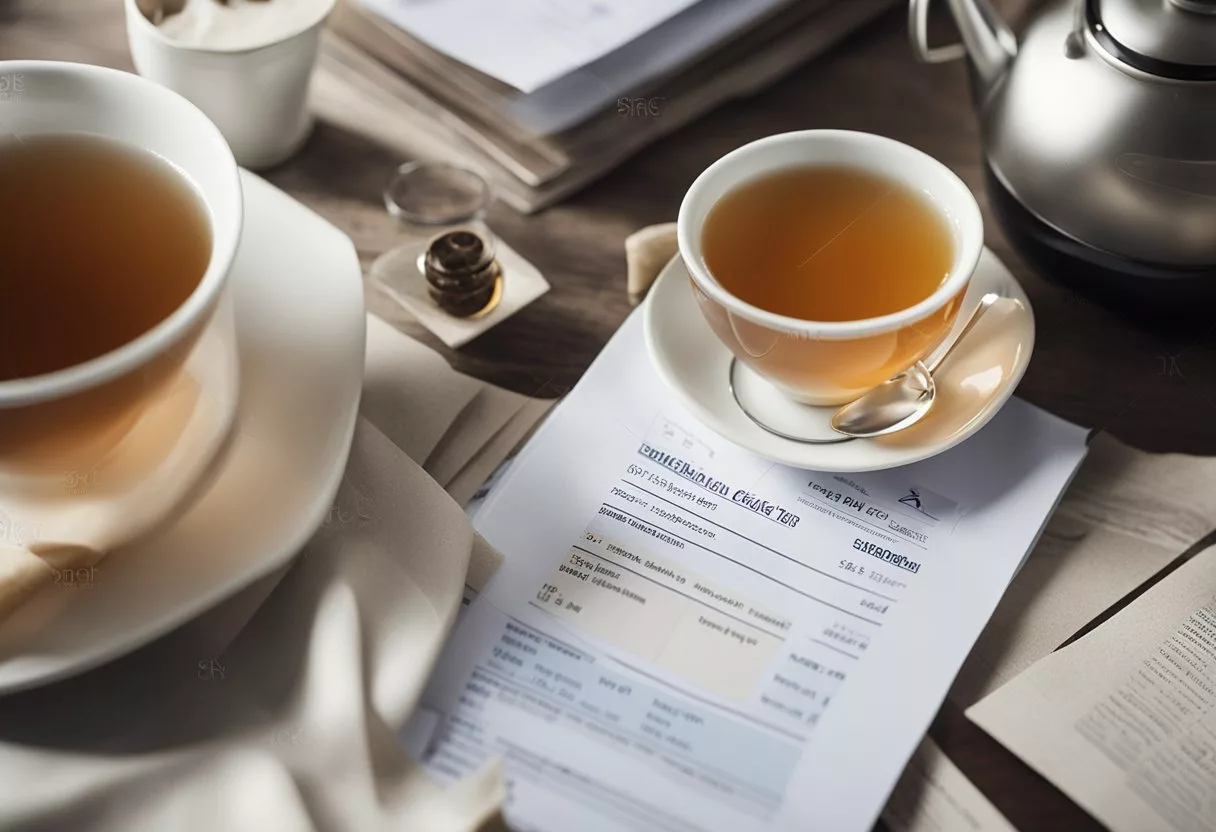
{"x": 686, "y": 637}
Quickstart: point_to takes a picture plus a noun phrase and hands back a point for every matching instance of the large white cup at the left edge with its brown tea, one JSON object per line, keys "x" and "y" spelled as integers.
{"x": 120, "y": 220}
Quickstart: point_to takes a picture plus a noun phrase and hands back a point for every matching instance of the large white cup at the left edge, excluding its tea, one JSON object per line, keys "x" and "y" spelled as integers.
{"x": 64, "y": 418}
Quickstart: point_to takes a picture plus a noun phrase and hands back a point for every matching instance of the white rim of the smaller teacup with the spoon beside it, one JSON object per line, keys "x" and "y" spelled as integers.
{"x": 947, "y": 192}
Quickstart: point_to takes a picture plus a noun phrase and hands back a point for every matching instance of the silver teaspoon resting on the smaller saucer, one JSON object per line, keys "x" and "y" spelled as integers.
{"x": 902, "y": 402}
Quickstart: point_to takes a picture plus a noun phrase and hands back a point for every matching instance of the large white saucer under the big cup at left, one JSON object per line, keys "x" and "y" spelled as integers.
{"x": 297, "y": 291}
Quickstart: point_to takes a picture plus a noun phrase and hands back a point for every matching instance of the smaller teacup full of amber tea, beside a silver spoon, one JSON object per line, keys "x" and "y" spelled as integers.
{"x": 830, "y": 261}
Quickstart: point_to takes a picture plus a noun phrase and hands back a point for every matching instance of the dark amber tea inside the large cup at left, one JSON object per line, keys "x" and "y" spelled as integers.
{"x": 99, "y": 244}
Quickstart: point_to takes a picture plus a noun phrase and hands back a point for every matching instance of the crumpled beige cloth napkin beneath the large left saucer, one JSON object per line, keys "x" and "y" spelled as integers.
{"x": 280, "y": 710}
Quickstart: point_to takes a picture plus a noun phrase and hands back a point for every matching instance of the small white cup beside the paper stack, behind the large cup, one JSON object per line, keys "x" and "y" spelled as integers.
{"x": 257, "y": 97}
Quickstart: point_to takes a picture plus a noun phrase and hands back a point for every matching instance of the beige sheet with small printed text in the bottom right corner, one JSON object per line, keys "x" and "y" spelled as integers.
{"x": 1124, "y": 721}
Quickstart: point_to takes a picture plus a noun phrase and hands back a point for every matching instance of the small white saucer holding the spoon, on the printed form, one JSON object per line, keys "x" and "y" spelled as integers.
{"x": 972, "y": 384}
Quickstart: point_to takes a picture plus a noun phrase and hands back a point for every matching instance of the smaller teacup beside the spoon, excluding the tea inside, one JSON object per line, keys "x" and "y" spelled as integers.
{"x": 831, "y": 363}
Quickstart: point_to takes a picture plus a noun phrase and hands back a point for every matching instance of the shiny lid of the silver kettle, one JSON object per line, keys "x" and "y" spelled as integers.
{"x": 1168, "y": 38}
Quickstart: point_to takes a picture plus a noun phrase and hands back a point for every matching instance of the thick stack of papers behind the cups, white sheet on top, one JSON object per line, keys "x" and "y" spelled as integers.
{"x": 547, "y": 95}
